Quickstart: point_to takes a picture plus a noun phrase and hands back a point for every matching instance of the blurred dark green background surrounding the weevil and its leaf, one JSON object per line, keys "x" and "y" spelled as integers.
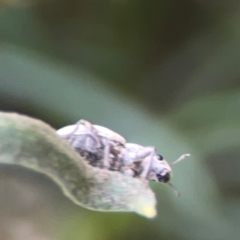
{"x": 162, "y": 73}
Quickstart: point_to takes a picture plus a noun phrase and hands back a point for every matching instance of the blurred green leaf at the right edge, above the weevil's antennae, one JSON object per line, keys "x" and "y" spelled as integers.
{"x": 212, "y": 122}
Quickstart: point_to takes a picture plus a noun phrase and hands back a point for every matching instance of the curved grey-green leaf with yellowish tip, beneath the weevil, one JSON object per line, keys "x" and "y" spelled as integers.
{"x": 33, "y": 144}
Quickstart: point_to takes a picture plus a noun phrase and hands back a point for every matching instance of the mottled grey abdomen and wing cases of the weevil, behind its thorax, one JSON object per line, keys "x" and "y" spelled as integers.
{"x": 99, "y": 150}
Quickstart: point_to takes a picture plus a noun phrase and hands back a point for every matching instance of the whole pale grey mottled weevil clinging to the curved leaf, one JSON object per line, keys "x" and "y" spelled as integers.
{"x": 104, "y": 148}
